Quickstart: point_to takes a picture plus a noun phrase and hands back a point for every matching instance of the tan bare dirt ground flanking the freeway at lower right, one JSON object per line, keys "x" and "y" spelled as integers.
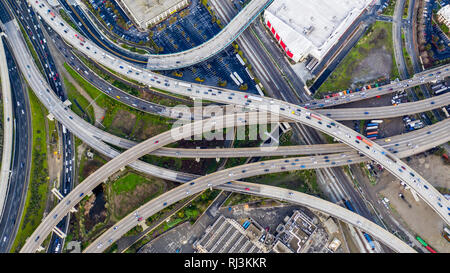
{"x": 419, "y": 218}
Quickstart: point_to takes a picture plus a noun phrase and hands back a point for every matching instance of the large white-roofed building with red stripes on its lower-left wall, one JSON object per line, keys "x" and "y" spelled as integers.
{"x": 311, "y": 27}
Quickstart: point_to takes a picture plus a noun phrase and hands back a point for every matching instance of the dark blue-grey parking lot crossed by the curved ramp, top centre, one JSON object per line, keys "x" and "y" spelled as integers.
{"x": 190, "y": 31}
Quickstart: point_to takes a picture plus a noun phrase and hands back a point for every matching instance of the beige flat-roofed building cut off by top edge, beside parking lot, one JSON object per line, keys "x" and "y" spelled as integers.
{"x": 150, "y": 12}
